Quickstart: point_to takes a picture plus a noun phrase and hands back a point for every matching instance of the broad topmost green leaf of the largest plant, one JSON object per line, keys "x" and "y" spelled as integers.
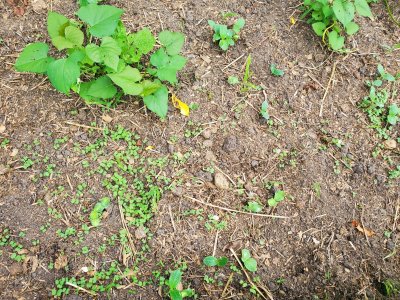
{"x": 103, "y": 19}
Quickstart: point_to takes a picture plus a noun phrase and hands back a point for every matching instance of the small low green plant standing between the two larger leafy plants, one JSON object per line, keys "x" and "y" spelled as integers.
{"x": 225, "y": 36}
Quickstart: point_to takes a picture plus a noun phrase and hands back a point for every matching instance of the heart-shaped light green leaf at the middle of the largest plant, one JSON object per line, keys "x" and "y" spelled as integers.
{"x": 108, "y": 52}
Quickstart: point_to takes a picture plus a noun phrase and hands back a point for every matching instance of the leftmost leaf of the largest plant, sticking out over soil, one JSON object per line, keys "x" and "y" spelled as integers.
{"x": 34, "y": 58}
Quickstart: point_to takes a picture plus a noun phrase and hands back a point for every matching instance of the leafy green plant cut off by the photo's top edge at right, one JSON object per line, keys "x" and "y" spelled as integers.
{"x": 333, "y": 19}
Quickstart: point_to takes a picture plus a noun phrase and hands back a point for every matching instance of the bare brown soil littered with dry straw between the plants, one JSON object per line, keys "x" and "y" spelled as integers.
{"x": 317, "y": 240}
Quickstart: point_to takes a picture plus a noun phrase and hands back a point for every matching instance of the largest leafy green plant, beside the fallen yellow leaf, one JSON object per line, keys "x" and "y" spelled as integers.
{"x": 112, "y": 63}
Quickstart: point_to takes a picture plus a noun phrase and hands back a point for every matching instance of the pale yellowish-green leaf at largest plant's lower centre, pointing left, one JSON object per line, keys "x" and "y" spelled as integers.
{"x": 127, "y": 79}
